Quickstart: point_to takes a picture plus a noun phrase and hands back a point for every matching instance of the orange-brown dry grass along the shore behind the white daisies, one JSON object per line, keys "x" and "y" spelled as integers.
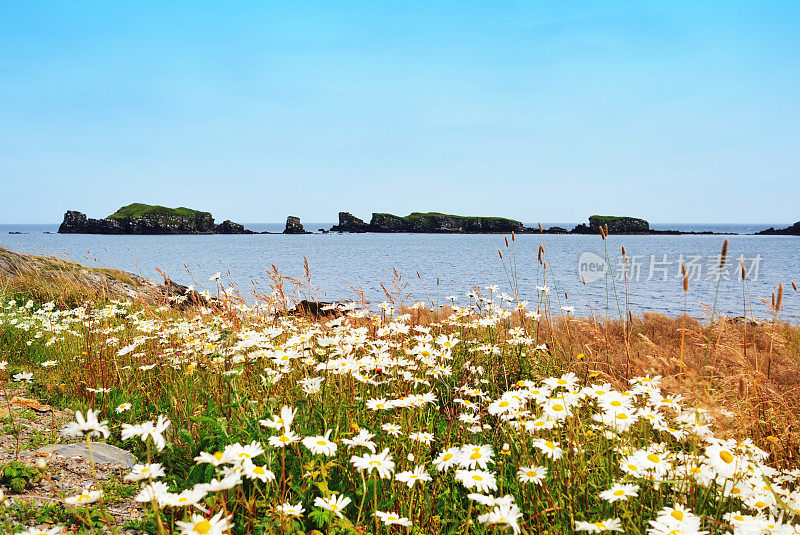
{"x": 749, "y": 370}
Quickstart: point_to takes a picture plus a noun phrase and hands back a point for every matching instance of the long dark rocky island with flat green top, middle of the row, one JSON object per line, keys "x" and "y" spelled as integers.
{"x": 432, "y": 222}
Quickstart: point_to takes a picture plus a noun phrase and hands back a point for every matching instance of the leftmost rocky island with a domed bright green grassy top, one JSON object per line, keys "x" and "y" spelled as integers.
{"x": 138, "y": 218}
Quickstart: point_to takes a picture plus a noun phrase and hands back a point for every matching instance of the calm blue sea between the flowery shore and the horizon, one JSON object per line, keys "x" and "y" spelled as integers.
{"x": 453, "y": 264}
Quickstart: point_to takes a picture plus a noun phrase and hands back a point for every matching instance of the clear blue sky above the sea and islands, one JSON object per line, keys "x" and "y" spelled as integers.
{"x": 542, "y": 111}
